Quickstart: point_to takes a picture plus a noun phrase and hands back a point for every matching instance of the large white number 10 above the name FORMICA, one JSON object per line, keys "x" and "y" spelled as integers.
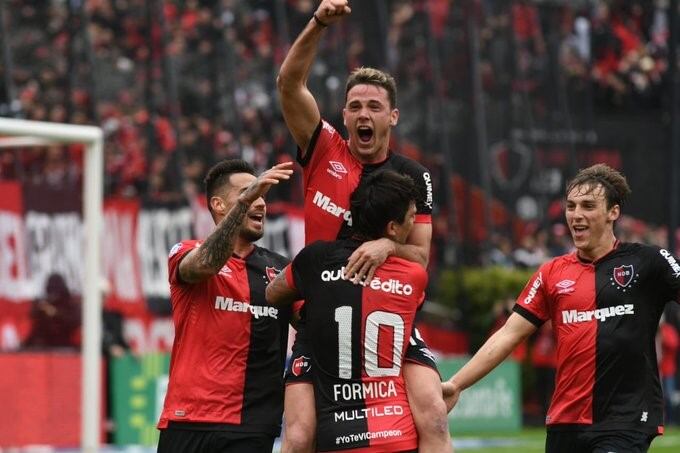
{"x": 343, "y": 316}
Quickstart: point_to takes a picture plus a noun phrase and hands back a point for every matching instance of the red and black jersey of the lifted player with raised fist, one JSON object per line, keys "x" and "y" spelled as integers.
{"x": 331, "y": 174}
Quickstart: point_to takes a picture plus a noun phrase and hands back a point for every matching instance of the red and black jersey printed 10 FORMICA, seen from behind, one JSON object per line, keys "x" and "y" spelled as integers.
{"x": 358, "y": 336}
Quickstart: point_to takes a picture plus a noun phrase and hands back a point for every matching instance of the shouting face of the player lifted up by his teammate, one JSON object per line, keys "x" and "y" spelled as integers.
{"x": 369, "y": 118}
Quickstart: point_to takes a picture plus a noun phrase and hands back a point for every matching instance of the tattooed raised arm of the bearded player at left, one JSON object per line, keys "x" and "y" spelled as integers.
{"x": 207, "y": 260}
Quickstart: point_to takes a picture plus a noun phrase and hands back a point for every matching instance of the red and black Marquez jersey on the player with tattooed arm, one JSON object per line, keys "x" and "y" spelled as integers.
{"x": 228, "y": 356}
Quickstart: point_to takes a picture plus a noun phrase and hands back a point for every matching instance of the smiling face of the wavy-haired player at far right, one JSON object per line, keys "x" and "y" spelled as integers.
{"x": 590, "y": 222}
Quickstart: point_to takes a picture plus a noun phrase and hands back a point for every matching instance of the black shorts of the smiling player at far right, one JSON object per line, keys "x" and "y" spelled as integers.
{"x": 624, "y": 441}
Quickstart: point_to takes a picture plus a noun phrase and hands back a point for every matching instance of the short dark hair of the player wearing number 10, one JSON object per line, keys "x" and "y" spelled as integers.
{"x": 382, "y": 197}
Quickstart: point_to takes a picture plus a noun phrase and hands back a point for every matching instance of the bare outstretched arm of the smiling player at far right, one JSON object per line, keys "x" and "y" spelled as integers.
{"x": 515, "y": 330}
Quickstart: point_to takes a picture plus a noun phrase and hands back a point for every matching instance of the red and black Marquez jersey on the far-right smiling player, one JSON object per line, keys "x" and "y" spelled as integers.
{"x": 605, "y": 316}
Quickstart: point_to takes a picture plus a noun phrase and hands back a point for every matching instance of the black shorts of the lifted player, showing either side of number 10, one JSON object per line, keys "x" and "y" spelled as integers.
{"x": 300, "y": 366}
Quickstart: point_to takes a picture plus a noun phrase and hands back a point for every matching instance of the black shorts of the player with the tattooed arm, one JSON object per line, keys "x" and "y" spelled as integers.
{"x": 181, "y": 440}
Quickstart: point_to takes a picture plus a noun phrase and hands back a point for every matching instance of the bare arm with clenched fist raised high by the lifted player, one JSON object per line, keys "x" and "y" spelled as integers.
{"x": 299, "y": 107}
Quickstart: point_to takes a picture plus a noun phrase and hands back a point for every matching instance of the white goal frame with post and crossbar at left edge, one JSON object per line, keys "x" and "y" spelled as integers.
{"x": 23, "y": 133}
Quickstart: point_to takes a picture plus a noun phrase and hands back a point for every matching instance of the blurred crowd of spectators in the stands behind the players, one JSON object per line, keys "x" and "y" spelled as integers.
{"x": 177, "y": 85}
